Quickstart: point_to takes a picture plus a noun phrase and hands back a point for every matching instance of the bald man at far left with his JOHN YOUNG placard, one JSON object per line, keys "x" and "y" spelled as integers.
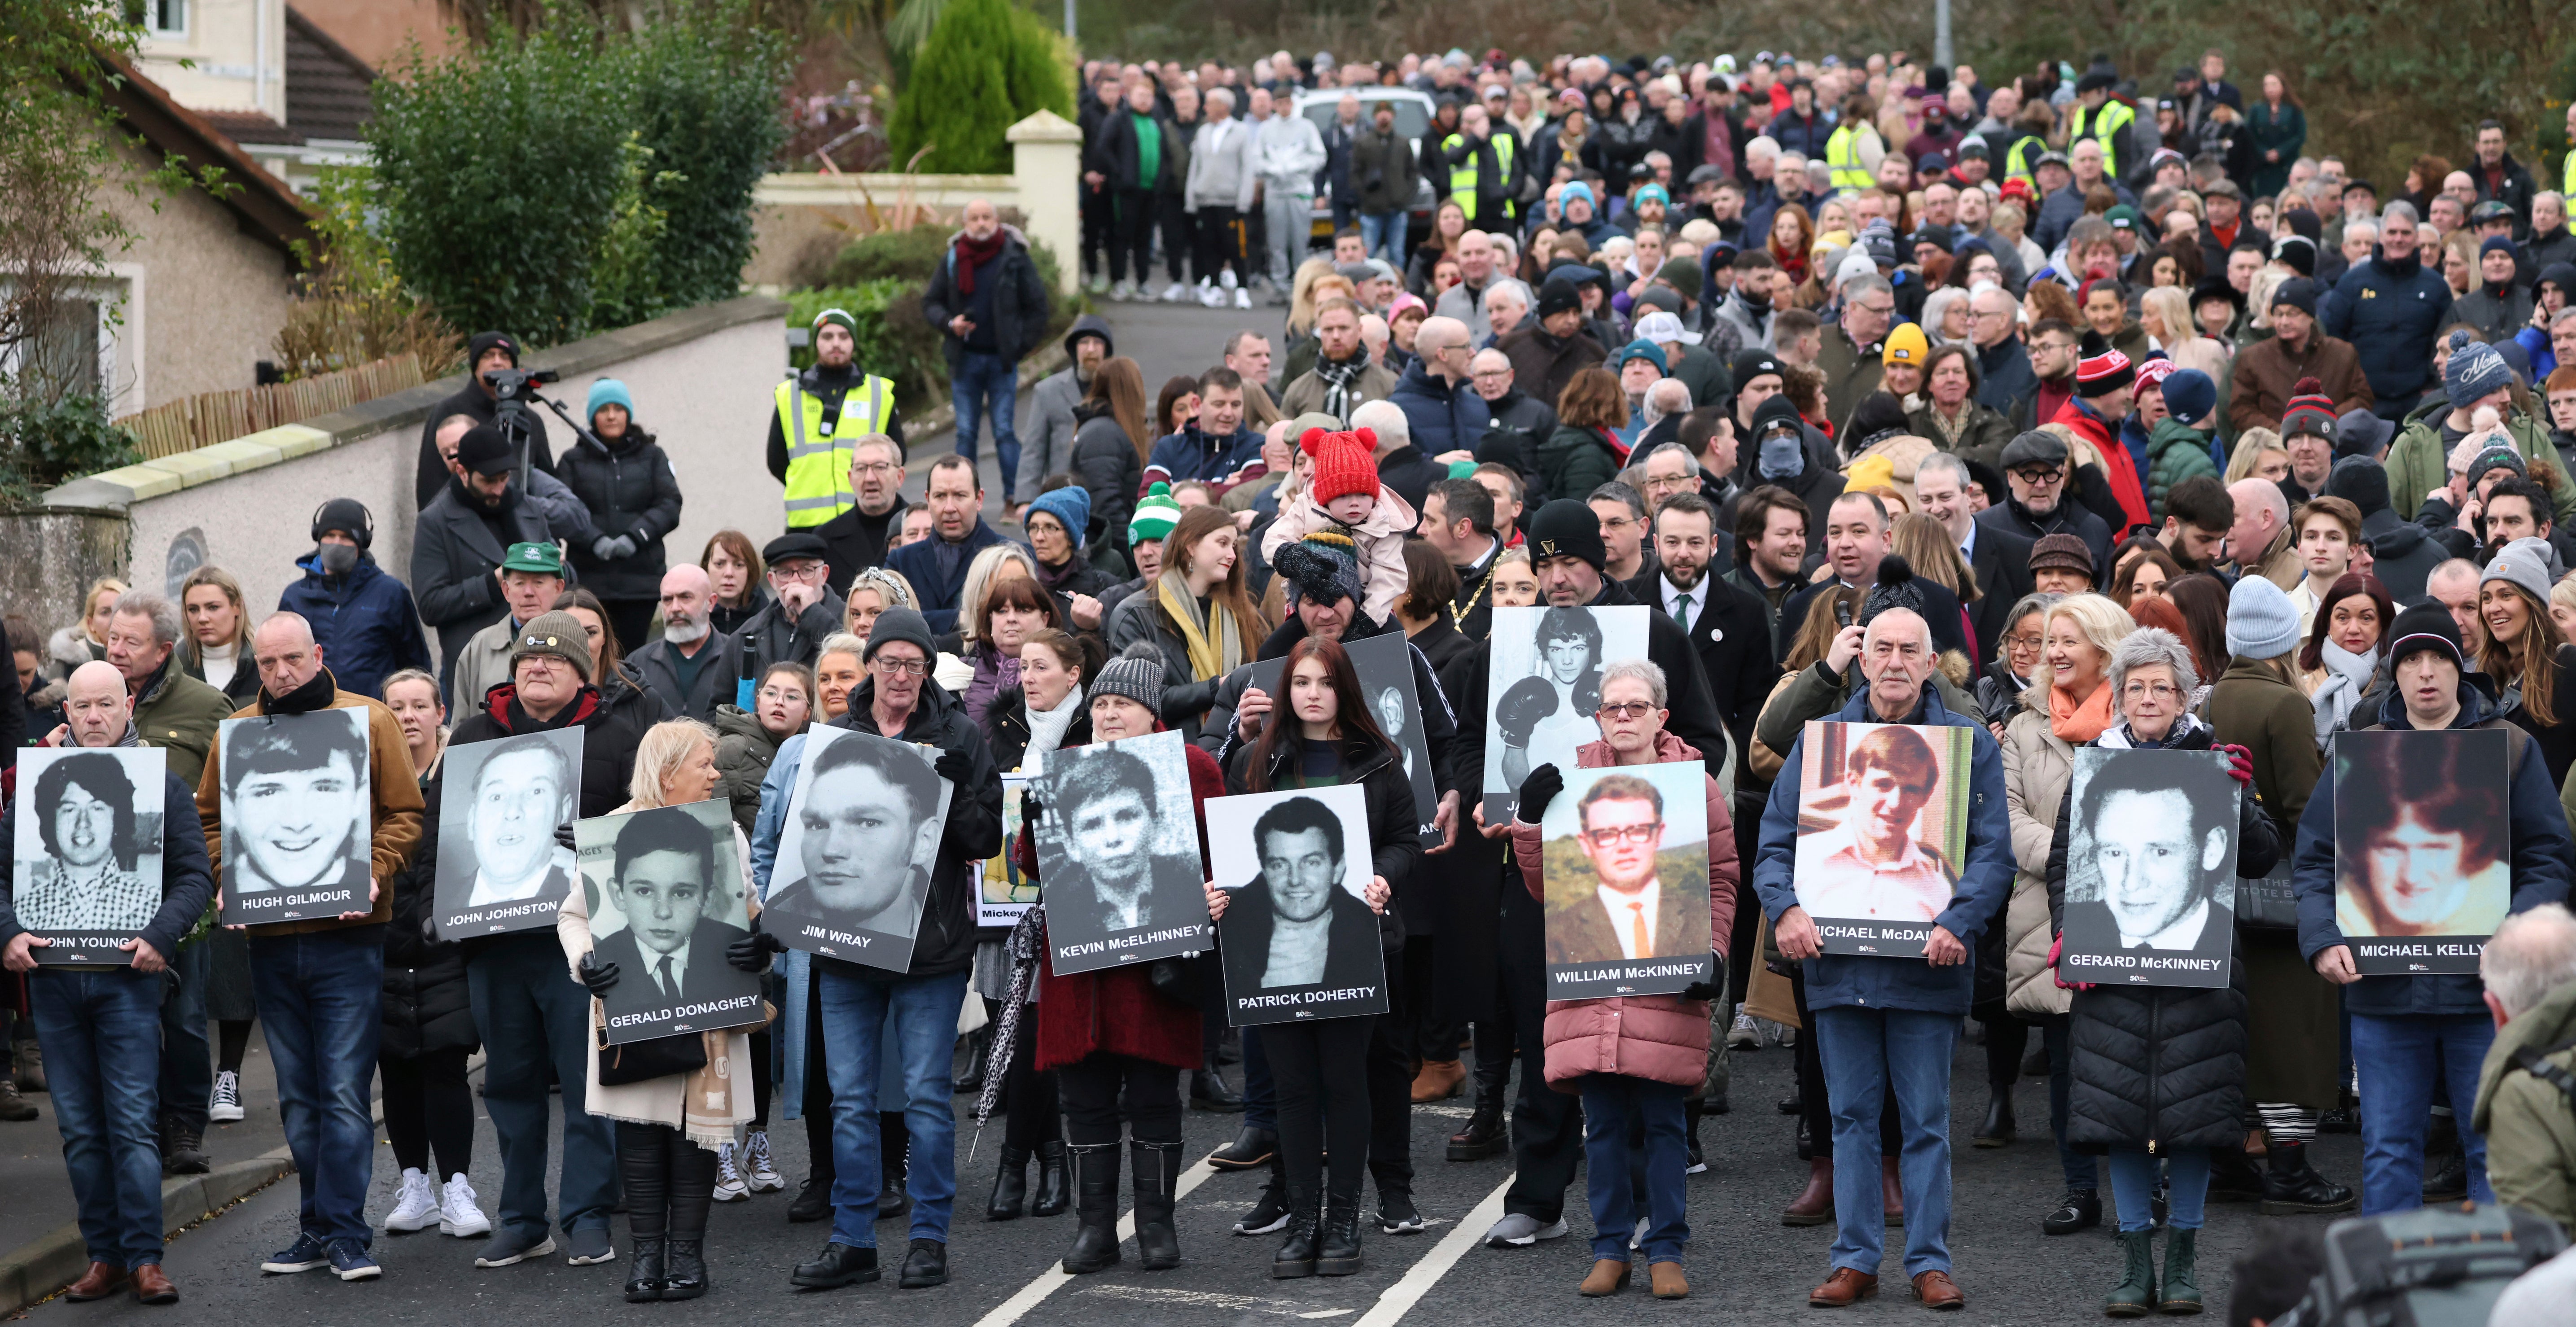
{"x": 102, "y": 1027}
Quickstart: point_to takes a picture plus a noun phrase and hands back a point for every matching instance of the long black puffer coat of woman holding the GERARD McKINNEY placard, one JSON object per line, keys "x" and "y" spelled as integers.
{"x": 2163, "y": 1065}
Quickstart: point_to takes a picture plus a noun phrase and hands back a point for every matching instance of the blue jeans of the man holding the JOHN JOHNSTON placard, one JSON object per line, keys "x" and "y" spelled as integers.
{"x": 532, "y": 1014}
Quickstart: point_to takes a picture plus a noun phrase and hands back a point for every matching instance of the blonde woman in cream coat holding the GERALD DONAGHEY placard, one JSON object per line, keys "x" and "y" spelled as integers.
{"x": 674, "y": 1127}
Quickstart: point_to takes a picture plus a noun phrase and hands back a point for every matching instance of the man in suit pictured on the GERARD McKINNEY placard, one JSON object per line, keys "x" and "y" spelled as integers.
{"x": 2163, "y": 854}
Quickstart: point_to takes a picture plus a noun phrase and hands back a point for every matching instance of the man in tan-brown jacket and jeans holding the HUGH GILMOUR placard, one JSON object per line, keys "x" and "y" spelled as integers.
{"x": 321, "y": 983}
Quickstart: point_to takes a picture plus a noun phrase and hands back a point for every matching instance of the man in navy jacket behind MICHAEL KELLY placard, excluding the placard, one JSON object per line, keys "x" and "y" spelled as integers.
{"x": 2407, "y": 1032}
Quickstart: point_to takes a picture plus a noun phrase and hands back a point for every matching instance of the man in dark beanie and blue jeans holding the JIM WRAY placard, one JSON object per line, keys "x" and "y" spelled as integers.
{"x": 862, "y": 1004}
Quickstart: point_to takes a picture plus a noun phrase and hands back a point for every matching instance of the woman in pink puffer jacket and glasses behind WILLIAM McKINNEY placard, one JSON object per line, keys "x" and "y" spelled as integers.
{"x": 1634, "y": 1058}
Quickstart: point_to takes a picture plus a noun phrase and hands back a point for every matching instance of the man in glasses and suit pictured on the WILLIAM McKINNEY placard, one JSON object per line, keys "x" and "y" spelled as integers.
{"x": 1629, "y": 913}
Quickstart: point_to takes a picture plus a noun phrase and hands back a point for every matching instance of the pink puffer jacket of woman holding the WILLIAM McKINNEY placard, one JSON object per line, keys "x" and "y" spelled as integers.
{"x": 1655, "y": 1037}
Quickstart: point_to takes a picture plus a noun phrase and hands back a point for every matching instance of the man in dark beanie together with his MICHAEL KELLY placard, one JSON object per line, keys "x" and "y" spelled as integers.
{"x": 2369, "y": 828}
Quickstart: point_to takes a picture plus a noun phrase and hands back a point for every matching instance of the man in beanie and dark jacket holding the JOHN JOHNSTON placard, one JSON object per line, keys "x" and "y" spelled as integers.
{"x": 532, "y": 1017}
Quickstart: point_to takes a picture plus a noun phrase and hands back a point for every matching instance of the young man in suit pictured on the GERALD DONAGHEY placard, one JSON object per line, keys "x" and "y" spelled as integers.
{"x": 663, "y": 880}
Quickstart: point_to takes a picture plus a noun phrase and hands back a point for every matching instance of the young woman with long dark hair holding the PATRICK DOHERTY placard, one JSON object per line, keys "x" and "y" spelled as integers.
{"x": 1325, "y": 736}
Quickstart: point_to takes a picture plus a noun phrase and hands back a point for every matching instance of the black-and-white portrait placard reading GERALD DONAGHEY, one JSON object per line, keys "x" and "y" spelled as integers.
{"x": 668, "y": 901}
